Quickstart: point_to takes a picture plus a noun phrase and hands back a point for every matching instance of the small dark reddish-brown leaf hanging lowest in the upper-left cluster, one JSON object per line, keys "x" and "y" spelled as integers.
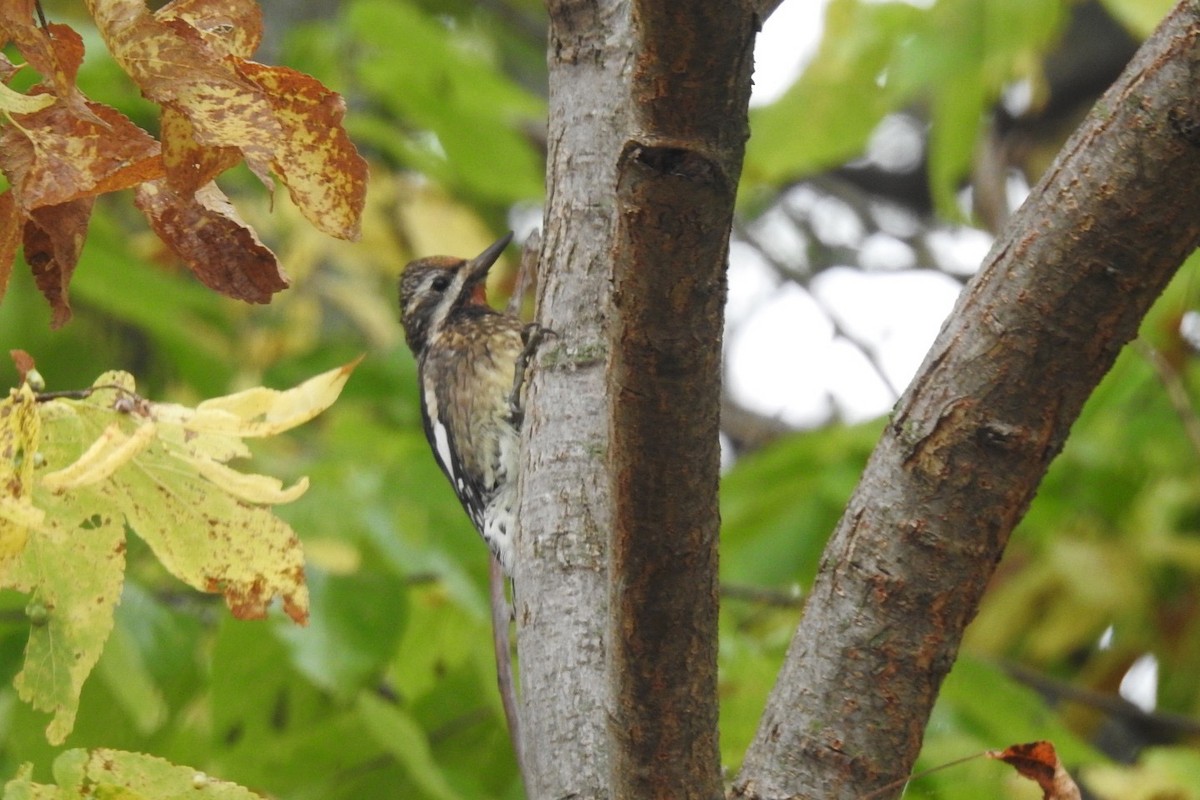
{"x": 55, "y": 237}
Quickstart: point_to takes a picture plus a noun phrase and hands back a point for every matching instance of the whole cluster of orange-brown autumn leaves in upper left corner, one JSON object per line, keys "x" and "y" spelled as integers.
{"x": 59, "y": 151}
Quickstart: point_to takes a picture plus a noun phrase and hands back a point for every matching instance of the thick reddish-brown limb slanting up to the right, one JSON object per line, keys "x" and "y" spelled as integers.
{"x": 1063, "y": 291}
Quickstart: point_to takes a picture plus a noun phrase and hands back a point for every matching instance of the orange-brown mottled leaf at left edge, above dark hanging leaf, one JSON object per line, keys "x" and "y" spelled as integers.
{"x": 53, "y": 157}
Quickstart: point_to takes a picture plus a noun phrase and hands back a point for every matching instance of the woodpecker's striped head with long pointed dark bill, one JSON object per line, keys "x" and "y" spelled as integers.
{"x": 433, "y": 288}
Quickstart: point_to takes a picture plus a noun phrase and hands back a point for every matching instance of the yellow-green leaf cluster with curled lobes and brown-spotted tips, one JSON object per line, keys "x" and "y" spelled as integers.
{"x": 115, "y": 460}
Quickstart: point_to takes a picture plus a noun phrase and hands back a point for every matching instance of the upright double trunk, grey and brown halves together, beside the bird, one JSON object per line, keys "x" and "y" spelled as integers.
{"x": 647, "y": 128}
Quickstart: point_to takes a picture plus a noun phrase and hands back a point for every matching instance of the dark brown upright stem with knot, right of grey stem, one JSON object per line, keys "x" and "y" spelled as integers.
{"x": 676, "y": 187}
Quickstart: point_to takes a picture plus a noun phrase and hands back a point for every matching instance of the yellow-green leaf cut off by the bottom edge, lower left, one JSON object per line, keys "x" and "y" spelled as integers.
{"x": 113, "y": 774}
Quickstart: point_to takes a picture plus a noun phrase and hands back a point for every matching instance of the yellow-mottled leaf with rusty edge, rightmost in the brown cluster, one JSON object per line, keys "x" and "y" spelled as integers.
{"x": 325, "y": 173}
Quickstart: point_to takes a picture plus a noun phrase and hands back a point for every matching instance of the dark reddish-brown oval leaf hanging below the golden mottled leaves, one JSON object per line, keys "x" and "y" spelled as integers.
{"x": 217, "y": 245}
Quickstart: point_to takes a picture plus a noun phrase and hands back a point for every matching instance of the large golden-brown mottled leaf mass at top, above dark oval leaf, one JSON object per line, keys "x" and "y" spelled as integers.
{"x": 191, "y": 59}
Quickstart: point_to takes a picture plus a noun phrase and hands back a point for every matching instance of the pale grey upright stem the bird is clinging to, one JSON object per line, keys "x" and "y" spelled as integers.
{"x": 561, "y": 578}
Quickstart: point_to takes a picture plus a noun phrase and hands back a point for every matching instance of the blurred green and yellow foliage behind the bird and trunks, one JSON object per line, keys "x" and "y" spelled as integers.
{"x": 391, "y": 691}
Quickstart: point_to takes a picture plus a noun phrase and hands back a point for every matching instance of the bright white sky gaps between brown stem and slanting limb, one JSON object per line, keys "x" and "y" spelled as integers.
{"x": 784, "y": 357}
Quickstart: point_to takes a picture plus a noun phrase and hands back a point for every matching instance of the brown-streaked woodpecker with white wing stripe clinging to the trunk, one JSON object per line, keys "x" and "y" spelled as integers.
{"x": 471, "y": 366}
